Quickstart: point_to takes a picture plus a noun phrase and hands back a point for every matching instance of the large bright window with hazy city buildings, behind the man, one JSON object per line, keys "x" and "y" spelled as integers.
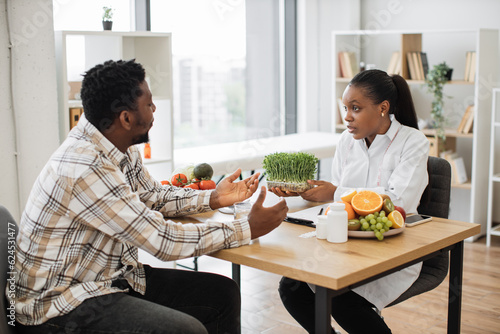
{"x": 226, "y": 64}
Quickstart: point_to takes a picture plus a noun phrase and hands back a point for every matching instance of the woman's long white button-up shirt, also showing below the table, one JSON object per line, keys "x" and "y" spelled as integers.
{"x": 394, "y": 164}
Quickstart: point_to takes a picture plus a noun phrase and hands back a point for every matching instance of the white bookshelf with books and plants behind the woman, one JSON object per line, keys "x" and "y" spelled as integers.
{"x": 469, "y": 200}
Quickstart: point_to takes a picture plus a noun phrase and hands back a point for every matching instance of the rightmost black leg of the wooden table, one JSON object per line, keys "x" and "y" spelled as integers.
{"x": 455, "y": 288}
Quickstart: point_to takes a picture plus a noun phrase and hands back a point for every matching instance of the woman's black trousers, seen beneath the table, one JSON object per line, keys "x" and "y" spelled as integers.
{"x": 351, "y": 311}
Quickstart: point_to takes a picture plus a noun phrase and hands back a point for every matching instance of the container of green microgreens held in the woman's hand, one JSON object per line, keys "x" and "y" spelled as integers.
{"x": 290, "y": 171}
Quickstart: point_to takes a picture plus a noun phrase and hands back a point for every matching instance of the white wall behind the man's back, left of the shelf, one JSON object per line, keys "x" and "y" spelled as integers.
{"x": 29, "y": 119}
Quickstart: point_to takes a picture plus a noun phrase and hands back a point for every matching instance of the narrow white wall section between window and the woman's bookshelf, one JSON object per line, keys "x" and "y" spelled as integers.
{"x": 316, "y": 20}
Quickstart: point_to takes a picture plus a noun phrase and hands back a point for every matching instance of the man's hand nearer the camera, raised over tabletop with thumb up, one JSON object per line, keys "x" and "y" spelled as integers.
{"x": 263, "y": 220}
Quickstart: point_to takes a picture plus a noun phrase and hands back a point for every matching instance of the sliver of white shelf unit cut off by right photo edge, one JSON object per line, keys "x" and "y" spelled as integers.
{"x": 494, "y": 174}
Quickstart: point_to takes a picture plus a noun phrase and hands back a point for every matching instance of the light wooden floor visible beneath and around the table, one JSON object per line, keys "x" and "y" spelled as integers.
{"x": 263, "y": 312}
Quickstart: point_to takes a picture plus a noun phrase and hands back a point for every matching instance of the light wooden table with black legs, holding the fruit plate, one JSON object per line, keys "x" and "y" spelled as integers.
{"x": 336, "y": 268}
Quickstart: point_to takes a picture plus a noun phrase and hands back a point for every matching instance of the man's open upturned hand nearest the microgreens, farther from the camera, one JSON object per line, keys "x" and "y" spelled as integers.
{"x": 229, "y": 192}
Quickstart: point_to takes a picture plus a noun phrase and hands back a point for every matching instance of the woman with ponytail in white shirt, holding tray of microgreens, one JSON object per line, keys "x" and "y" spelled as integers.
{"x": 381, "y": 150}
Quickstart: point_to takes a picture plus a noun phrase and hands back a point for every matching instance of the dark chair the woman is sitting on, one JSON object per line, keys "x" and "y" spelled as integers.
{"x": 435, "y": 202}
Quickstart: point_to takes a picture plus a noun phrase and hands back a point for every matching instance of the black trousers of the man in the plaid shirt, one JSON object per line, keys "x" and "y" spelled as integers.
{"x": 176, "y": 302}
